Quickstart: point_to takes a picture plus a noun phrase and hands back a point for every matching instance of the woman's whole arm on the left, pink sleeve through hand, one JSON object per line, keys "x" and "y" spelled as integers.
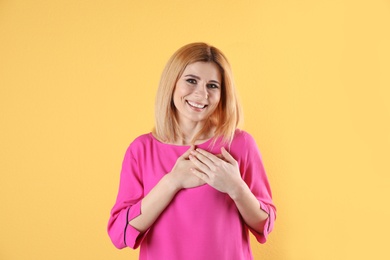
{"x": 133, "y": 213}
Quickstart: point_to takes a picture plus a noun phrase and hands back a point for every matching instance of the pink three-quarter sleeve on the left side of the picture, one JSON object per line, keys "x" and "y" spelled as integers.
{"x": 127, "y": 205}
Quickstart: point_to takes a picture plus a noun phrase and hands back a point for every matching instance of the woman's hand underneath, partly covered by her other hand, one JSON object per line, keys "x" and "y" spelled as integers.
{"x": 182, "y": 177}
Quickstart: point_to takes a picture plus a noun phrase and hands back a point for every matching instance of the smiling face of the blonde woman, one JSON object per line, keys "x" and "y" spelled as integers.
{"x": 197, "y": 92}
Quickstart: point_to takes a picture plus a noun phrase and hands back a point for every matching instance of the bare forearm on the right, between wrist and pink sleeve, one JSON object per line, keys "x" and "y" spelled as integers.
{"x": 249, "y": 207}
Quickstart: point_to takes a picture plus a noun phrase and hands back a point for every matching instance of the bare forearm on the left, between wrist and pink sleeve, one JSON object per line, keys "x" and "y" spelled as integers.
{"x": 154, "y": 203}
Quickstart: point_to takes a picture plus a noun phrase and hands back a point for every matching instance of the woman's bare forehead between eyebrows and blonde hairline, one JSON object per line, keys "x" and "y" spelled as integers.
{"x": 205, "y": 70}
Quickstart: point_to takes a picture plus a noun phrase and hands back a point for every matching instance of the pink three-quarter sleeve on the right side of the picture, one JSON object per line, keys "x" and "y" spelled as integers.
{"x": 254, "y": 175}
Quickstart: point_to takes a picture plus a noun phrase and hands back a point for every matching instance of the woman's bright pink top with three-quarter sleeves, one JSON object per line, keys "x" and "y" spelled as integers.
{"x": 199, "y": 223}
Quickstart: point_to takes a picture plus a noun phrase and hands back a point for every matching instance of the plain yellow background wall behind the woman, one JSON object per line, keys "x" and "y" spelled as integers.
{"x": 78, "y": 81}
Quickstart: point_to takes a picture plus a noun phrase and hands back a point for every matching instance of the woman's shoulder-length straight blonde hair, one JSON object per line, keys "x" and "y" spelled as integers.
{"x": 226, "y": 117}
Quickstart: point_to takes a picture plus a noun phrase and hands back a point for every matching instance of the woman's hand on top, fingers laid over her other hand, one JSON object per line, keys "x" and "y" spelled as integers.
{"x": 219, "y": 171}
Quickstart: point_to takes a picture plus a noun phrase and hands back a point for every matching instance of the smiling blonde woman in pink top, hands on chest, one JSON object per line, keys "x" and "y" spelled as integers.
{"x": 193, "y": 187}
